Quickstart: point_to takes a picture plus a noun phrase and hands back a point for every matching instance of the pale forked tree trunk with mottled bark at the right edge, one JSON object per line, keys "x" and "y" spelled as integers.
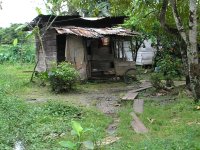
{"x": 191, "y": 42}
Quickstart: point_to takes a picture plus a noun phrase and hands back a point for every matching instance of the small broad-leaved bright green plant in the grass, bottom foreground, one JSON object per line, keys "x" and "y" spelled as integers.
{"x": 78, "y": 131}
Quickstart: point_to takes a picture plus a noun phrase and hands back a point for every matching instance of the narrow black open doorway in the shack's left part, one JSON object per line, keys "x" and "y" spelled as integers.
{"x": 61, "y": 42}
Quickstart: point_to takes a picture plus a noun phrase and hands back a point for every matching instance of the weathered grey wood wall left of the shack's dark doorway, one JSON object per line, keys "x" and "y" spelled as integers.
{"x": 50, "y": 47}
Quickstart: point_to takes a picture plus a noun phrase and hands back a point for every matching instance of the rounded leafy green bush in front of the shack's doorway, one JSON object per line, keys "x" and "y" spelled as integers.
{"x": 63, "y": 77}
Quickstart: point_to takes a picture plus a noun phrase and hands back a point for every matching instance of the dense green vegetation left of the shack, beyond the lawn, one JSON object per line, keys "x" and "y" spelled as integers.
{"x": 15, "y": 46}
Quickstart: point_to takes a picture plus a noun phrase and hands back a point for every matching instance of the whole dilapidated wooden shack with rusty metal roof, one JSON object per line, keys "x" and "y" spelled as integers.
{"x": 93, "y": 45}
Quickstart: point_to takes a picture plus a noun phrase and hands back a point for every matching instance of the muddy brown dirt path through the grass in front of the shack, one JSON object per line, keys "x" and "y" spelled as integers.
{"x": 106, "y": 100}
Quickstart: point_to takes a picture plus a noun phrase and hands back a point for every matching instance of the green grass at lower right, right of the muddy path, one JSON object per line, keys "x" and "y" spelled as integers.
{"x": 177, "y": 130}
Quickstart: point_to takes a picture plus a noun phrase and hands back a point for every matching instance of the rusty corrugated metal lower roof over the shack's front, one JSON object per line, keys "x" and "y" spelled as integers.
{"x": 94, "y": 32}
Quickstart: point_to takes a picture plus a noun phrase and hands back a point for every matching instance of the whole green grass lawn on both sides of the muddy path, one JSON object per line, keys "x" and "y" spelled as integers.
{"x": 173, "y": 124}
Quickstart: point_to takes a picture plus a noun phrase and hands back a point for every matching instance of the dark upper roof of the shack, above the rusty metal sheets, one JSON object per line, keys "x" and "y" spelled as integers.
{"x": 43, "y": 21}
